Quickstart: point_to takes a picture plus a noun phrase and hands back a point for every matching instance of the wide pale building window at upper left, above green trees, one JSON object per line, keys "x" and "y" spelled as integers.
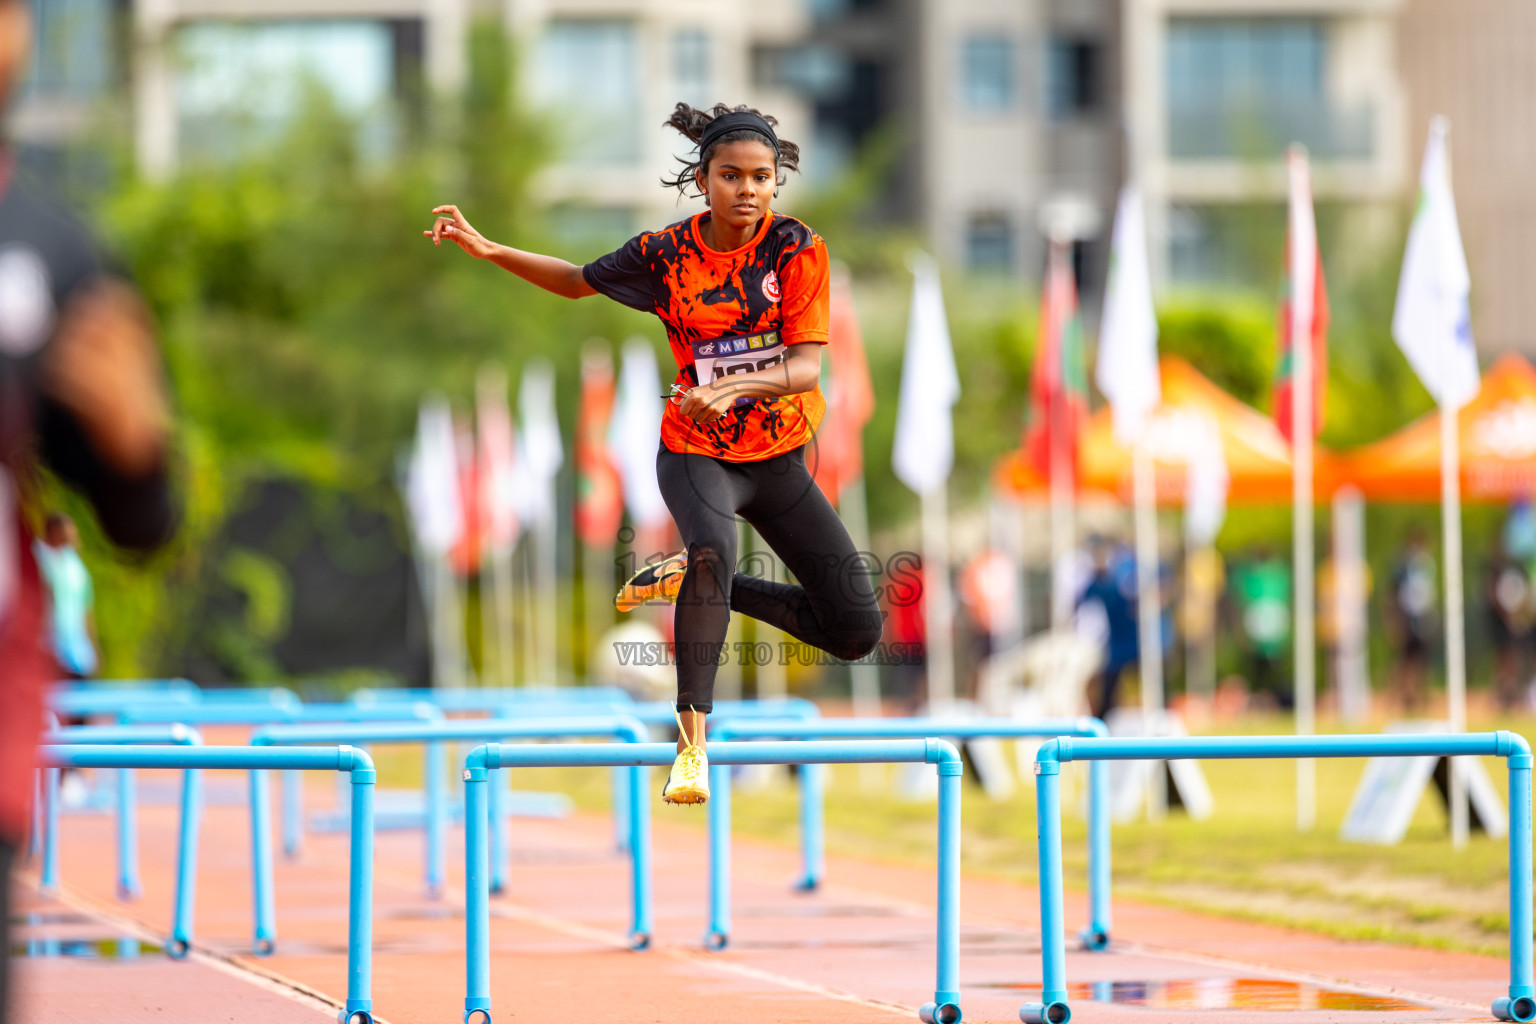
{"x": 240, "y": 84}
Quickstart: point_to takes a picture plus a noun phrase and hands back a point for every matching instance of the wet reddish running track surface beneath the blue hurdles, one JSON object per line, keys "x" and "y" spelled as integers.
{"x": 859, "y": 951}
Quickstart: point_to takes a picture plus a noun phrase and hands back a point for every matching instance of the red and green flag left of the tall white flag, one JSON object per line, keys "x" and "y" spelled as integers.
{"x": 1059, "y": 391}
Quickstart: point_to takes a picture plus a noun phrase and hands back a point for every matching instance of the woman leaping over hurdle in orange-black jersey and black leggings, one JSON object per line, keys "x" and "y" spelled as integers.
{"x": 744, "y": 297}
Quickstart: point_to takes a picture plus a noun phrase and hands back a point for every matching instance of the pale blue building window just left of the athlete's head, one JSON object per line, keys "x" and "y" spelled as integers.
{"x": 589, "y": 74}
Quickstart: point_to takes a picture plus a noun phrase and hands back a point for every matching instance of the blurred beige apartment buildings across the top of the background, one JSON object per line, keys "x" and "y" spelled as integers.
{"x": 1018, "y": 117}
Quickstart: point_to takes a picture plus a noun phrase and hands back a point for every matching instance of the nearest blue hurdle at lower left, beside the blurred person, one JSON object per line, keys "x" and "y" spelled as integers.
{"x": 259, "y": 761}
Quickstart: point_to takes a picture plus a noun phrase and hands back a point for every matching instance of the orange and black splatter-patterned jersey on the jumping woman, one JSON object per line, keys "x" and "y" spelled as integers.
{"x": 729, "y": 312}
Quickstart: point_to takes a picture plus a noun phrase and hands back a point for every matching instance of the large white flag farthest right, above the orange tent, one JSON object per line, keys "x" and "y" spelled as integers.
{"x": 1432, "y": 322}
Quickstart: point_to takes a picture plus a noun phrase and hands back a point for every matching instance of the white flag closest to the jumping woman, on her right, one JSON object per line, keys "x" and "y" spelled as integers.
{"x": 925, "y": 449}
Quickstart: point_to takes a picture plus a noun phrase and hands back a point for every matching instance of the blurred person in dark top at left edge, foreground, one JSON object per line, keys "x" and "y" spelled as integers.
{"x": 82, "y": 394}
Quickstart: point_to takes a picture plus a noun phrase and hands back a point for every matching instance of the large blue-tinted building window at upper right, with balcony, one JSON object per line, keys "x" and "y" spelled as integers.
{"x": 1251, "y": 87}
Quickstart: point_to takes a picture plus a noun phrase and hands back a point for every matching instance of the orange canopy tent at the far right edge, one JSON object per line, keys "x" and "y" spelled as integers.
{"x": 1498, "y": 446}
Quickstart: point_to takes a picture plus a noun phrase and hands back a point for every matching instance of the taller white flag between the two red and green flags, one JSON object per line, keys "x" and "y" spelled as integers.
{"x": 1127, "y": 371}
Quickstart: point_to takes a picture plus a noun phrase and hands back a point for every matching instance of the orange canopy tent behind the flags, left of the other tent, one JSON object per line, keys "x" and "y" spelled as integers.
{"x": 1259, "y": 455}
